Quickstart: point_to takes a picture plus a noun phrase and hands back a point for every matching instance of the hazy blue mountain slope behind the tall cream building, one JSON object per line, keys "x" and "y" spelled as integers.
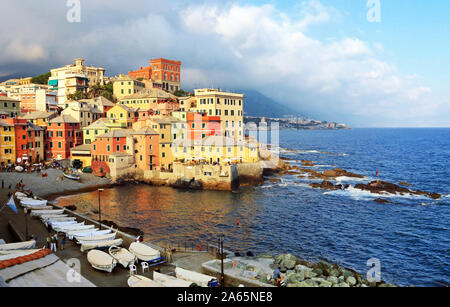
{"x": 257, "y": 104}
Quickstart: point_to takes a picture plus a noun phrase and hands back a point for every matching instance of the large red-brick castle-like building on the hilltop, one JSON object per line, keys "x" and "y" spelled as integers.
{"x": 162, "y": 71}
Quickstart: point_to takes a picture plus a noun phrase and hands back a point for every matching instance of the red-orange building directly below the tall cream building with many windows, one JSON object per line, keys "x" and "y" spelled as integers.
{"x": 200, "y": 125}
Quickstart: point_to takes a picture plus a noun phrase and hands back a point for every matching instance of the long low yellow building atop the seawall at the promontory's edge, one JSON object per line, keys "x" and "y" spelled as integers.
{"x": 215, "y": 149}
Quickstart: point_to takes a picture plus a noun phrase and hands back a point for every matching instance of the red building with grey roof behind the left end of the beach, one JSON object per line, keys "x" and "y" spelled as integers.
{"x": 63, "y": 133}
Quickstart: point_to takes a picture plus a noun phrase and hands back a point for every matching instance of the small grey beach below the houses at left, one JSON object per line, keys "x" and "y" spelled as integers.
{"x": 52, "y": 184}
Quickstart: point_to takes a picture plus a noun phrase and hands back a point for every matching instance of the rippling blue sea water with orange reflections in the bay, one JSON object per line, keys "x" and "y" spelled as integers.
{"x": 410, "y": 236}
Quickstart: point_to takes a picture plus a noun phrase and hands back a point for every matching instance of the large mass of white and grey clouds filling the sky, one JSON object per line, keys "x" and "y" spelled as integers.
{"x": 228, "y": 44}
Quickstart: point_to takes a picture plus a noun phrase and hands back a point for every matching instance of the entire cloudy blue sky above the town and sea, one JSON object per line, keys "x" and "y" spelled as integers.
{"x": 324, "y": 58}
